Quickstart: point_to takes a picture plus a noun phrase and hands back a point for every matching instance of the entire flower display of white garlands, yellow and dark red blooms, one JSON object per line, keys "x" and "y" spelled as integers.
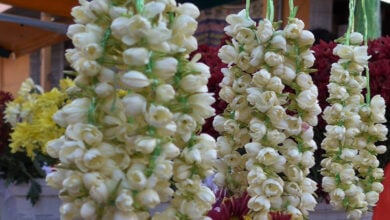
{"x": 154, "y": 126}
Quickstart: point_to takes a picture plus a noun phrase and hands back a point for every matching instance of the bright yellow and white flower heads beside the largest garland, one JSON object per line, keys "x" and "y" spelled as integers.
{"x": 30, "y": 115}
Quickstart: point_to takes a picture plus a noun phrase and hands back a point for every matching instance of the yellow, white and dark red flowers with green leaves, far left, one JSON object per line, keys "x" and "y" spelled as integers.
{"x": 26, "y": 127}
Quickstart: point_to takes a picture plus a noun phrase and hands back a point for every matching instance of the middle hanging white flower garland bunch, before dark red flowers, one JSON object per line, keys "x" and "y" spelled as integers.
{"x": 272, "y": 108}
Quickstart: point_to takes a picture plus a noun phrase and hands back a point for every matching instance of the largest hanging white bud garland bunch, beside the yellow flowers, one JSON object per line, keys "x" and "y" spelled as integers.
{"x": 131, "y": 138}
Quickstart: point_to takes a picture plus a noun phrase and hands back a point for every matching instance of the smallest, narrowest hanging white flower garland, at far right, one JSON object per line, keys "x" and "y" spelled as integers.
{"x": 351, "y": 174}
